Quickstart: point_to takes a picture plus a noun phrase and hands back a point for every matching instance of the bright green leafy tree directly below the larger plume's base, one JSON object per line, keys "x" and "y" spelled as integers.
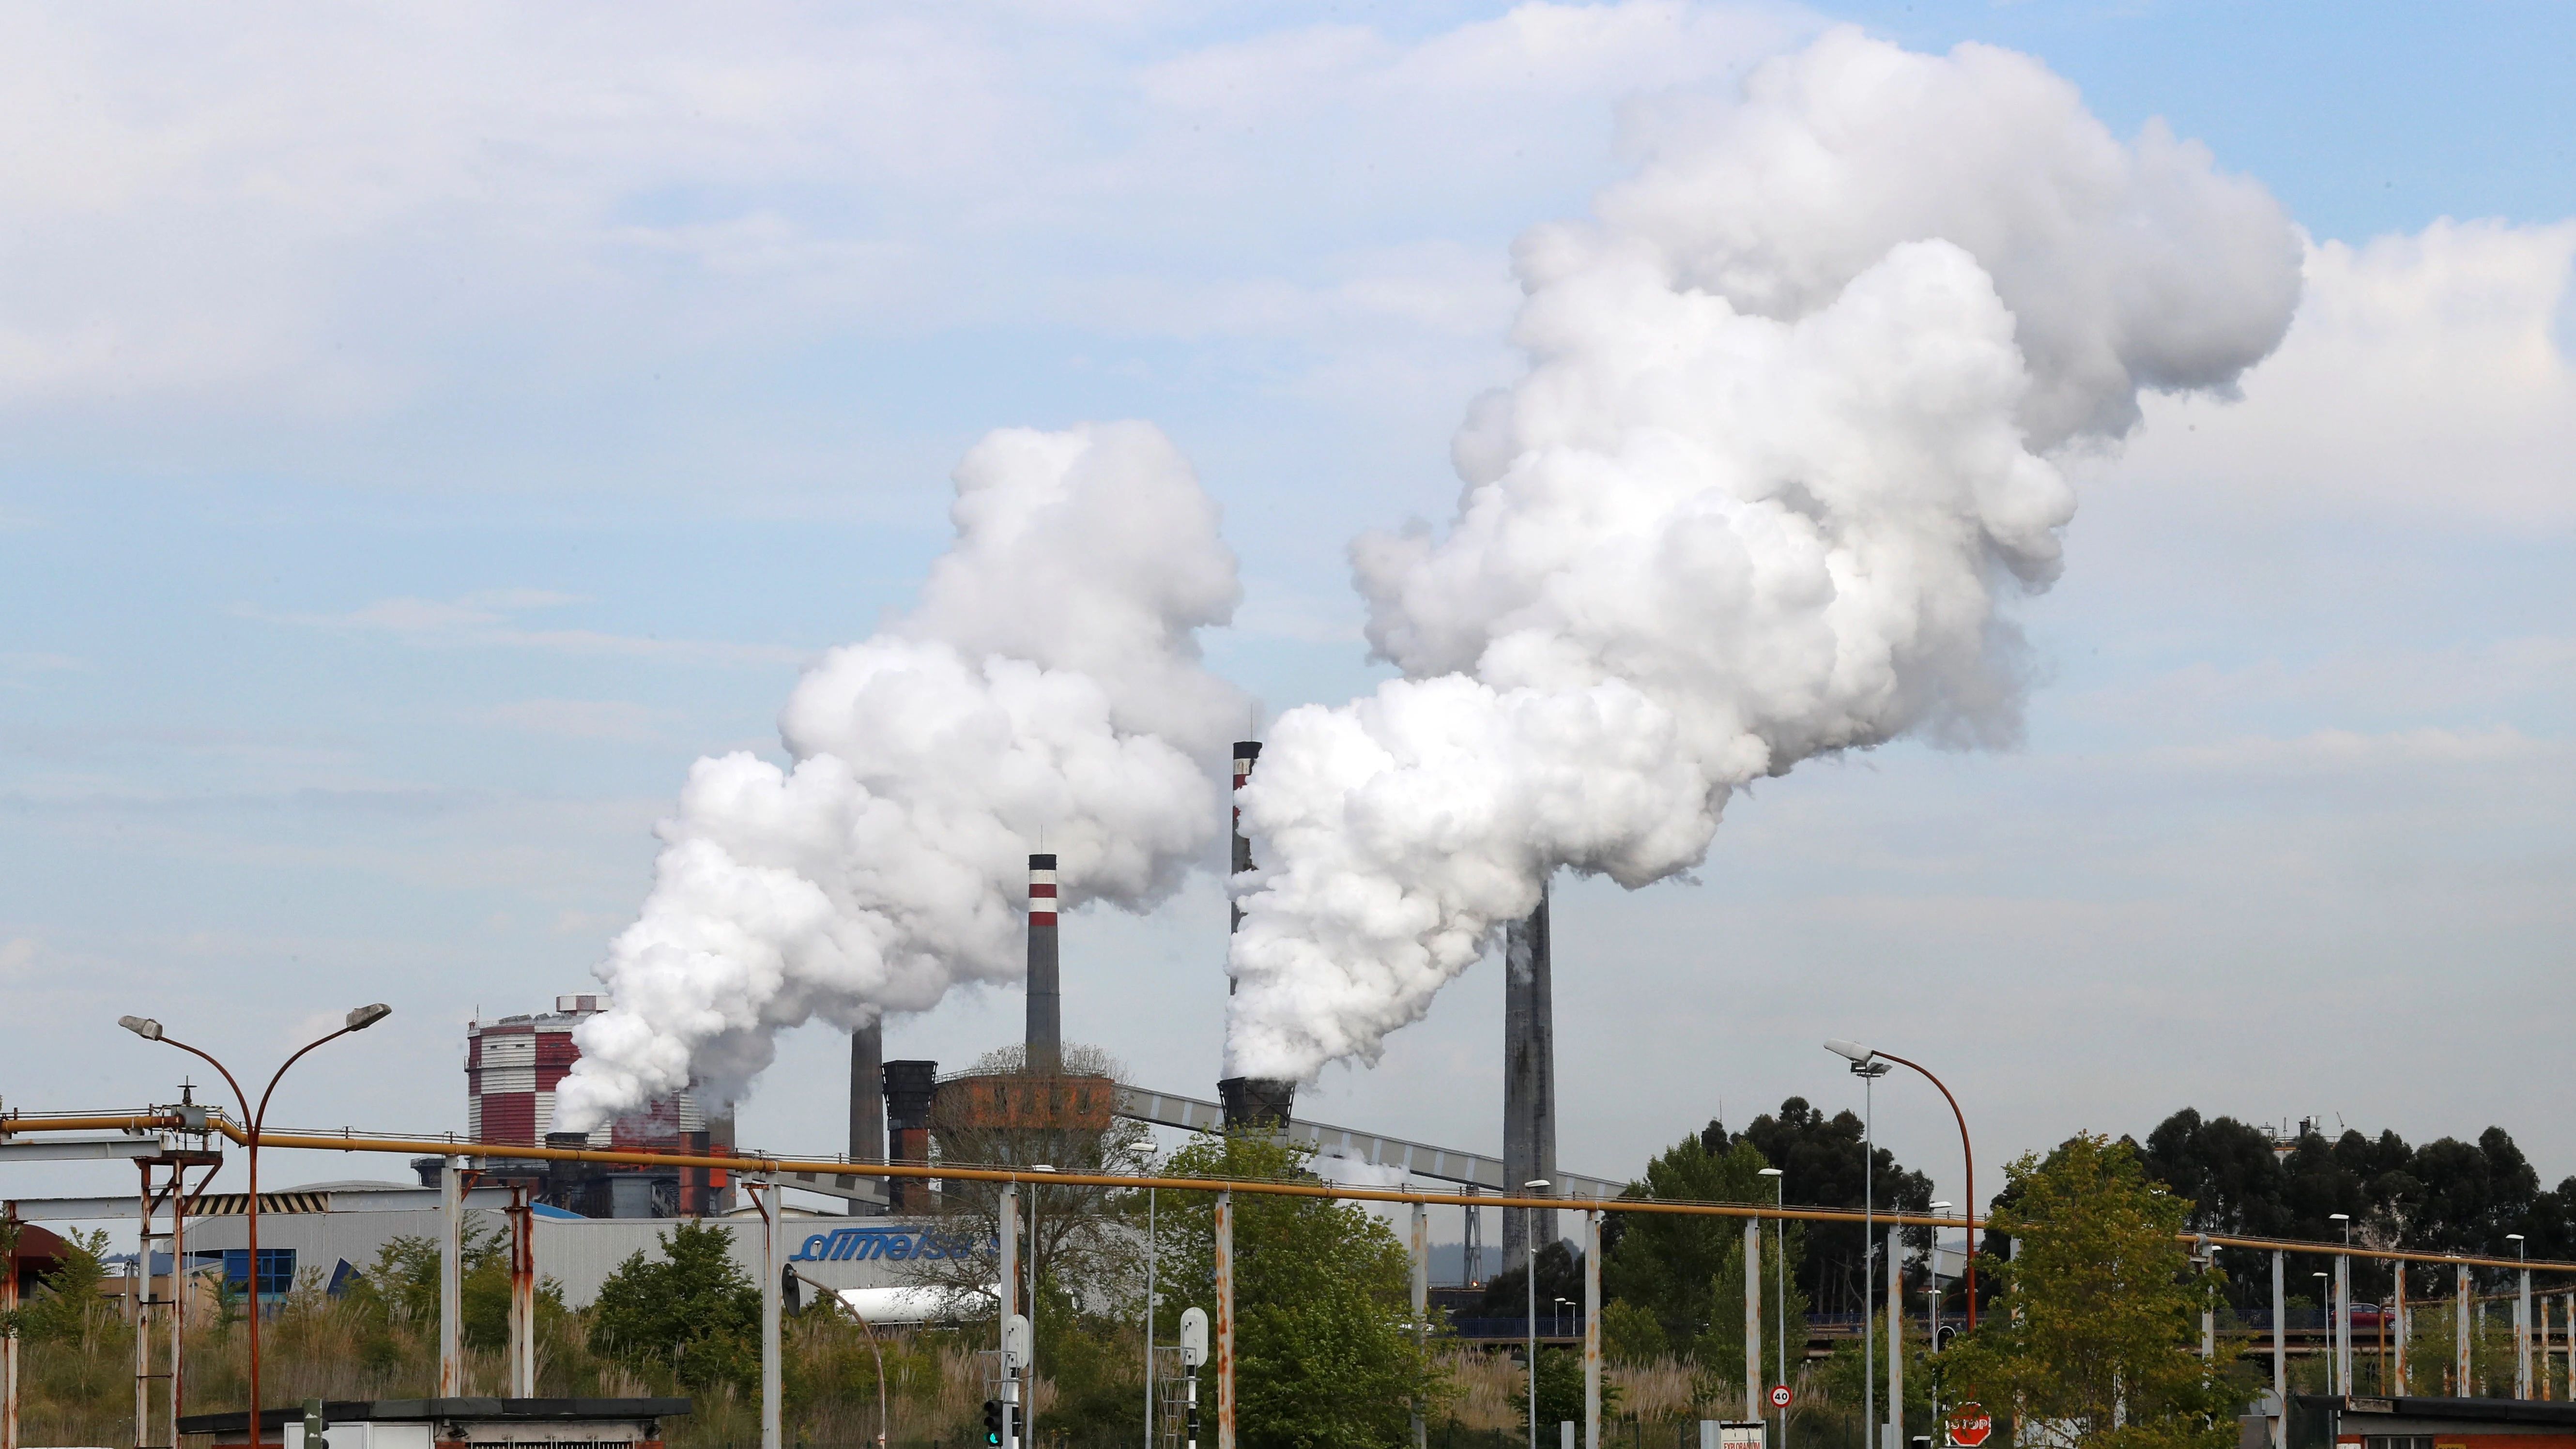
{"x": 1323, "y": 1296}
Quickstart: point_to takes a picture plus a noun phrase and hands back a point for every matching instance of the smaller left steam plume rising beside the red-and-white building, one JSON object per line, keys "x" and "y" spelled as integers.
{"x": 1047, "y": 681}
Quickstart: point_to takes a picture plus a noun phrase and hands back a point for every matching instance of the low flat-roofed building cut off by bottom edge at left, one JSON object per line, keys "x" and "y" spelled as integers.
{"x": 457, "y": 1425}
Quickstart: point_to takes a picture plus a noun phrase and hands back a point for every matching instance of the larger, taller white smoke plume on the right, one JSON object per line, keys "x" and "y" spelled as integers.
{"x": 1781, "y": 454}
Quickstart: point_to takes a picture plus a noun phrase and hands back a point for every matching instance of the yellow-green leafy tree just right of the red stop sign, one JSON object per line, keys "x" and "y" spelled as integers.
{"x": 2098, "y": 1324}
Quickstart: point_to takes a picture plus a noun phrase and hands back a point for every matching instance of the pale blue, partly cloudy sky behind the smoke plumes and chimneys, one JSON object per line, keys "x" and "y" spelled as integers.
{"x": 426, "y": 431}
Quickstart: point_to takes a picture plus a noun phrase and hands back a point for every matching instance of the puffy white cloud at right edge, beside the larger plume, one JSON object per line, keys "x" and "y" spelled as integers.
{"x": 2425, "y": 377}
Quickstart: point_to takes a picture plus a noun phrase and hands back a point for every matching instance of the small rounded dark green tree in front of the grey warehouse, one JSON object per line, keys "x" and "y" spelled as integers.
{"x": 694, "y": 1311}
